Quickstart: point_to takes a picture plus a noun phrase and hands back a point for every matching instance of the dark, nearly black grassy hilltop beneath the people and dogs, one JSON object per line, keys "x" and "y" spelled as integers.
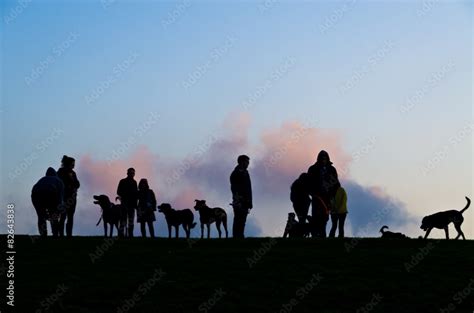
{"x": 91, "y": 274}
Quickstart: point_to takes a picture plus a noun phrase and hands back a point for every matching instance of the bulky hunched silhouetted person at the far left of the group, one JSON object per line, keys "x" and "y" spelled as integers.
{"x": 47, "y": 197}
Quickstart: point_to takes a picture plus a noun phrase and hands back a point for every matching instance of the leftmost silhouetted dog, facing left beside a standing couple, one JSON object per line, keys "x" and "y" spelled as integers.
{"x": 112, "y": 214}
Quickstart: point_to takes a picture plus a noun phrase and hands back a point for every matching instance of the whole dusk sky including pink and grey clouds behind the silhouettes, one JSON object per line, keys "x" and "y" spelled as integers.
{"x": 178, "y": 89}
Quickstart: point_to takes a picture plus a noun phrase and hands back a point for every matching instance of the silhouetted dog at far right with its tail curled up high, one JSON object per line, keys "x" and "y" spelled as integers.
{"x": 441, "y": 220}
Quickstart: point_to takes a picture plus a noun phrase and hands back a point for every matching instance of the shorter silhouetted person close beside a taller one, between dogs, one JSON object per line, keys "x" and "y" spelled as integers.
{"x": 146, "y": 207}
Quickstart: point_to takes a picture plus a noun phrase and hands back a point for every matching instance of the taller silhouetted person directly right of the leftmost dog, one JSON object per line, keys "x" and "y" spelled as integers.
{"x": 128, "y": 192}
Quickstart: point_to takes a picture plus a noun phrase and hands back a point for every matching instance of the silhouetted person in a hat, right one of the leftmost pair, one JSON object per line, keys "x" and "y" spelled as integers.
{"x": 71, "y": 185}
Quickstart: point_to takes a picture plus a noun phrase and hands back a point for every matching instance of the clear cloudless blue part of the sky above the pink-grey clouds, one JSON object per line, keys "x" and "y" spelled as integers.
{"x": 390, "y": 50}
